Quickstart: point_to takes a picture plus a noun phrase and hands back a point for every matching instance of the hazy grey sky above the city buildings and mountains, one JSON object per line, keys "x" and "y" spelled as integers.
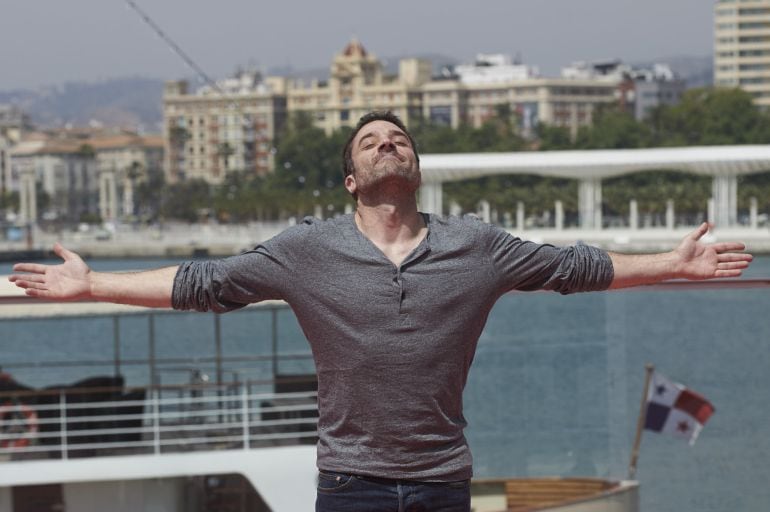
{"x": 47, "y": 42}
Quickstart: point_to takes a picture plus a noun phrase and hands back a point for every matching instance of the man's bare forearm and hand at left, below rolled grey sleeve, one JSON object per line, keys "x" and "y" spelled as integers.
{"x": 74, "y": 280}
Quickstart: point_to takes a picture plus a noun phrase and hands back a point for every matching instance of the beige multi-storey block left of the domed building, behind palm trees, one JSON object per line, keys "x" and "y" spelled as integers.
{"x": 223, "y": 128}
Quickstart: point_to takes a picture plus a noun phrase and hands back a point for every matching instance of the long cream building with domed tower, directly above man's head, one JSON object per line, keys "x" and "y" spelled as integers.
{"x": 469, "y": 93}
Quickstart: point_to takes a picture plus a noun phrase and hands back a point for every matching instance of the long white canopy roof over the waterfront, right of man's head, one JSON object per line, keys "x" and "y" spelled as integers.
{"x": 601, "y": 163}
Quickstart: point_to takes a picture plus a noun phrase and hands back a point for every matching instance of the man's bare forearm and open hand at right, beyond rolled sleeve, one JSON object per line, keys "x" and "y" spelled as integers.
{"x": 693, "y": 259}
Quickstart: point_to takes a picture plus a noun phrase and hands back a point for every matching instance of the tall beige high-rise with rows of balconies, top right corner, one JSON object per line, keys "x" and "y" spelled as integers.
{"x": 742, "y": 47}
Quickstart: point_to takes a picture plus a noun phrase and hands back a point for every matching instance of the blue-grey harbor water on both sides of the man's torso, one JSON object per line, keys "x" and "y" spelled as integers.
{"x": 555, "y": 387}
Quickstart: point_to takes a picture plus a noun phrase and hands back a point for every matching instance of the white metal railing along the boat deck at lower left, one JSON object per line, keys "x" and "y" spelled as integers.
{"x": 196, "y": 418}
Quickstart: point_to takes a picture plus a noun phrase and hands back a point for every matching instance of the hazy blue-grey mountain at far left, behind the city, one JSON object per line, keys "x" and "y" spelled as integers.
{"x": 134, "y": 103}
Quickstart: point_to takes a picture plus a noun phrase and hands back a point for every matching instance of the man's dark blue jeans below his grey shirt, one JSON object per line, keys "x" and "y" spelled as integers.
{"x": 340, "y": 492}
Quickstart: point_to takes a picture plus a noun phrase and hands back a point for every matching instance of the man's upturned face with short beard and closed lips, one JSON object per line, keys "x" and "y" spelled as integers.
{"x": 383, "y": 157}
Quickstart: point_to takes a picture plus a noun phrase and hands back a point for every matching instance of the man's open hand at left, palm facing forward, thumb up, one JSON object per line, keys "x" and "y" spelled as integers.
{"x": 69, "y": 280}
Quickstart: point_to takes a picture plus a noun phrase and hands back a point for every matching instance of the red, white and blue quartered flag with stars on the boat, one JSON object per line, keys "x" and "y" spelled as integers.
{"x": 674, "y": 409}
